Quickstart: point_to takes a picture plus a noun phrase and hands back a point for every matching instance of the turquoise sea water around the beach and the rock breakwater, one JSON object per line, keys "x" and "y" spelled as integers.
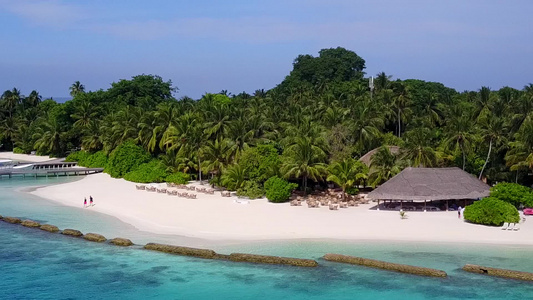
{"x": 38, "y": 265}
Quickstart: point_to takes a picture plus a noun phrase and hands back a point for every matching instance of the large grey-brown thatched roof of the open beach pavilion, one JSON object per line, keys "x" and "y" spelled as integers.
{"x": 419, "y": 184}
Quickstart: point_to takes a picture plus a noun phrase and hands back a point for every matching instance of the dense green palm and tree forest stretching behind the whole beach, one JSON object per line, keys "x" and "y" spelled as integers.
{"x": 320, "y": 115}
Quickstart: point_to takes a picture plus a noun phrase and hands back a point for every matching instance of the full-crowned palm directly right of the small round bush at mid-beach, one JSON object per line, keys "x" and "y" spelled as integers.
{"x": 305, "y": 160}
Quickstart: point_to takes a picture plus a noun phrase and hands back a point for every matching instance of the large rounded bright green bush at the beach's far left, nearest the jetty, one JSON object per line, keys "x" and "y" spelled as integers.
{"x": 126, "y": 158}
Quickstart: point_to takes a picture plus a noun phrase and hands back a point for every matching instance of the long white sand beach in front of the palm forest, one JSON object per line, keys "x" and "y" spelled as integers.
{"x": 214, "y": 217}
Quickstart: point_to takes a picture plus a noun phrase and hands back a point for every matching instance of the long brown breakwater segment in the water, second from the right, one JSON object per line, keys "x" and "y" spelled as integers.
{"x": 384, "y": 265}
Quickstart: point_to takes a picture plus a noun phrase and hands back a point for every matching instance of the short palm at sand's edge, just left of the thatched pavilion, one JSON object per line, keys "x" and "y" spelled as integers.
{"x": 347, "y": 173}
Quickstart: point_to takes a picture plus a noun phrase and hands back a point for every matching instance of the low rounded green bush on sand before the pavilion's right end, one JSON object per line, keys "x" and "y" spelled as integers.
{"x": 491, "y": 211}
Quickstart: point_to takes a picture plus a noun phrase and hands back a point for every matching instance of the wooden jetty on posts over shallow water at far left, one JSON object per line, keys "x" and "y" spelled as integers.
{"x": 57, "y": 167}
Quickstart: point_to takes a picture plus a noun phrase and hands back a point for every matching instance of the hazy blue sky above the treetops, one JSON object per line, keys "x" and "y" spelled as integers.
{"x": 243, "y": 45}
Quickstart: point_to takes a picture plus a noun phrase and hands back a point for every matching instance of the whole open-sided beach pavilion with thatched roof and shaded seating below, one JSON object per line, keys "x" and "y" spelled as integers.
{"x": 413, "y": 188}
